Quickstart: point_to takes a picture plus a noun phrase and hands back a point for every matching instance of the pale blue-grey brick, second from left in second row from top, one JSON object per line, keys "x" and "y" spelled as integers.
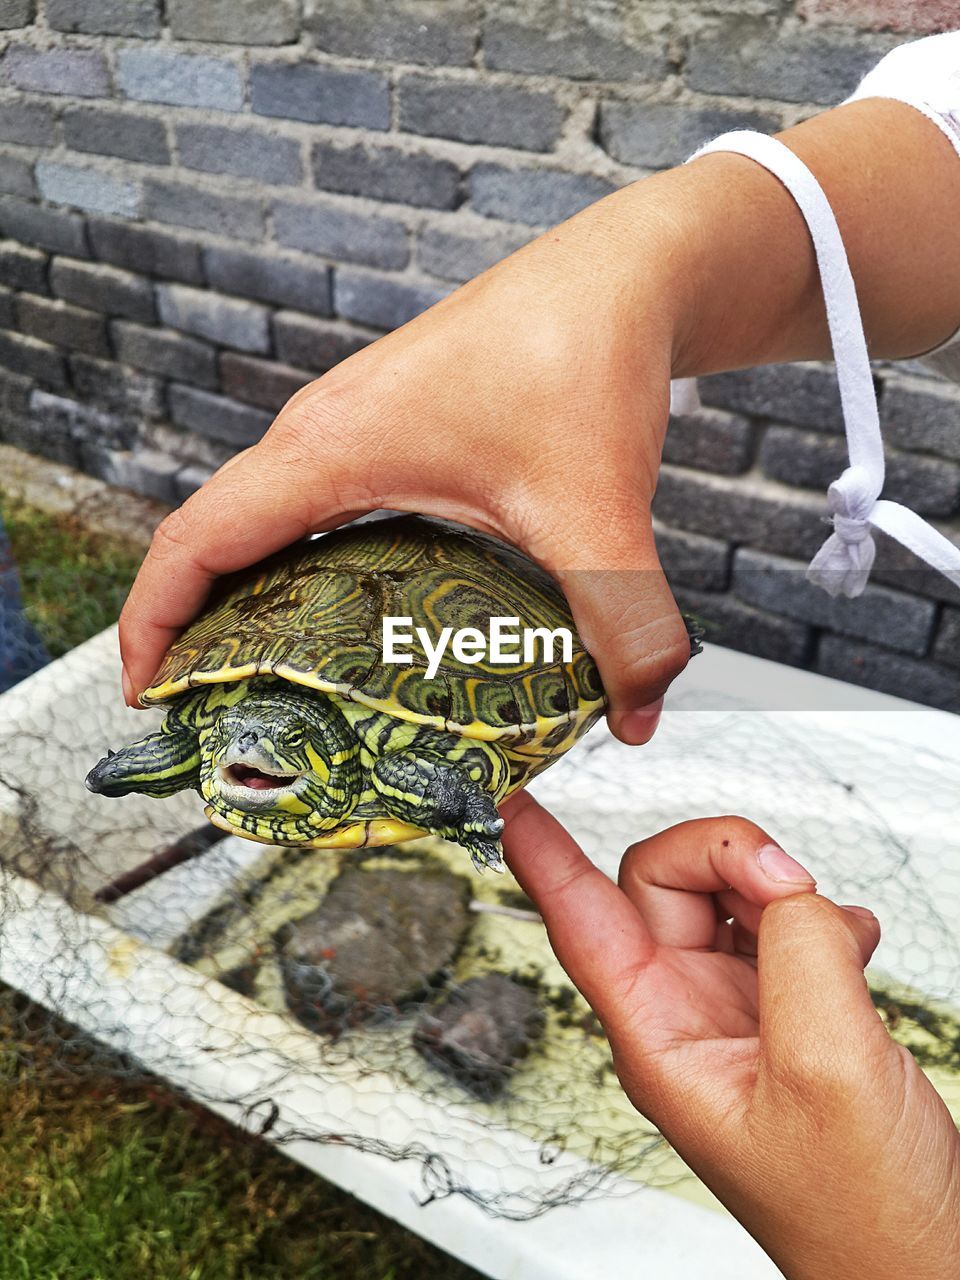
{"x": 180, "y": 80}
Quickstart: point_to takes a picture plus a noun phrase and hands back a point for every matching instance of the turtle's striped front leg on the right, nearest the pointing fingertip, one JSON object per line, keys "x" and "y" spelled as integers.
{"x": 432, "y": 793}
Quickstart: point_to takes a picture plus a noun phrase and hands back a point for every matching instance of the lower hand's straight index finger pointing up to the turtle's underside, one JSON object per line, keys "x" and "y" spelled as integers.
{"x": 593, "y": 929}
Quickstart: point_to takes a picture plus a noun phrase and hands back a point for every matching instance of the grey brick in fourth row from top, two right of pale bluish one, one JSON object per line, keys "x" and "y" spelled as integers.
{"x": 341, "y": 234}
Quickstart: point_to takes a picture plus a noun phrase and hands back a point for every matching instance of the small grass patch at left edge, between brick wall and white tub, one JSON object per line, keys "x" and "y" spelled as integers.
{"x": 75, "y": 579}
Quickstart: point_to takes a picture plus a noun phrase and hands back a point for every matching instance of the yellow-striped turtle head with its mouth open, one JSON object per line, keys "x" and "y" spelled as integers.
{"x": 280, "y": 765}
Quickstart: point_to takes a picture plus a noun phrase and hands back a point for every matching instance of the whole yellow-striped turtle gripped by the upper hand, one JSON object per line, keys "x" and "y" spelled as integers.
{"x": 285, "y": 715}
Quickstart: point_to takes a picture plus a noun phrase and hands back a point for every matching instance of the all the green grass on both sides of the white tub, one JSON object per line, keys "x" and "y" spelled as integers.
{"x": 111, "y": 1178}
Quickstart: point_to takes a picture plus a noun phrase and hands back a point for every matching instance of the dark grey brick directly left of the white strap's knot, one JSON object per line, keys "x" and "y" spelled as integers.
{"x": 742, "y": 513}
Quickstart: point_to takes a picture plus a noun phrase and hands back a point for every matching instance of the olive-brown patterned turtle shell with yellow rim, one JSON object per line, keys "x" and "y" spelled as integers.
{"x": 314, "y": 615}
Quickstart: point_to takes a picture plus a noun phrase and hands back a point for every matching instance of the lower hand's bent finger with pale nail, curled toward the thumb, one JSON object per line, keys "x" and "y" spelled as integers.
{"x": 671, "y": 877}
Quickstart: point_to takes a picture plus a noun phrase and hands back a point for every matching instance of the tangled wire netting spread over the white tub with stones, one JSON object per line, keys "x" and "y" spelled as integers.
{"x": 396, "y": 1002}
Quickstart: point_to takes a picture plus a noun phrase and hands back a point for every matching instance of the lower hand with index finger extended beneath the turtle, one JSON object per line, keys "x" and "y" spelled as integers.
{"x": 740, "y": 1025}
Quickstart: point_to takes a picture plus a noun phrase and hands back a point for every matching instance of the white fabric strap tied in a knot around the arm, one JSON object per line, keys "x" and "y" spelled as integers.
{"x": 843, "y": 565}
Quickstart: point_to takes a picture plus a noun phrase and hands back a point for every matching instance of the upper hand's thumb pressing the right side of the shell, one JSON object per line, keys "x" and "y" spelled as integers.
{"x": 629, "y": 620}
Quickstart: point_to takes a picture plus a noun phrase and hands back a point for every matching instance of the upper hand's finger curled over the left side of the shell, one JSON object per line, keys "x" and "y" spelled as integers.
{"x": 245, "y": 513}
